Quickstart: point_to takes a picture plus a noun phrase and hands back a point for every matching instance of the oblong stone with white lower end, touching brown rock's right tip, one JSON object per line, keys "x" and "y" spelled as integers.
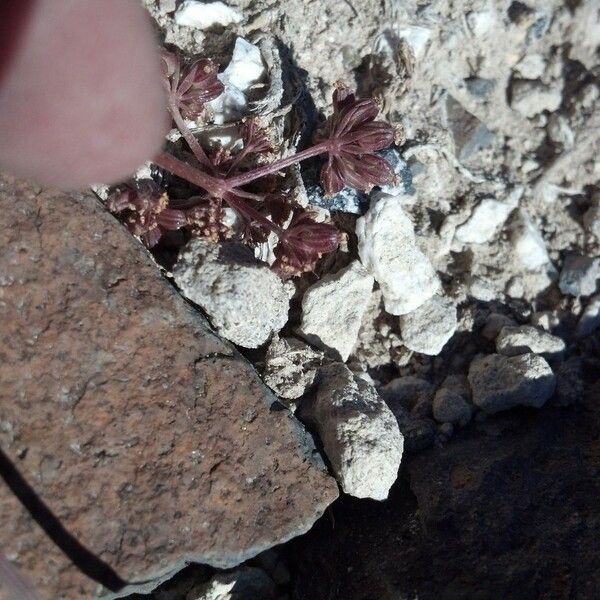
{"x": 359, "y": 433}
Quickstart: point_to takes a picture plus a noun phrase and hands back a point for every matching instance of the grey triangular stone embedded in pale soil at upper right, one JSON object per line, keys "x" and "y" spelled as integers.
{"x": 470, "y": 135}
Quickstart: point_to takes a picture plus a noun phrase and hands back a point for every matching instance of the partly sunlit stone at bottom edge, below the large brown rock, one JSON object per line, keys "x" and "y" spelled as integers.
{"x": 245, "y": 583}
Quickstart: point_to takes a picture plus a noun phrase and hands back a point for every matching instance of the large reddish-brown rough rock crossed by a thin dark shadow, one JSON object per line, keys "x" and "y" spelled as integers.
{"x": 149, "y": 439}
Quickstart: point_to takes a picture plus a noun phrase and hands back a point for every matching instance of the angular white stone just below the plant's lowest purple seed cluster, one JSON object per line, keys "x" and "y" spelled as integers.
{"x": 333, "y": 307}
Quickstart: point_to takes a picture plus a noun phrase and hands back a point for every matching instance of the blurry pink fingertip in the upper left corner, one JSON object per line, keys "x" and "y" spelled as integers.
{"x": 81, "y": 98}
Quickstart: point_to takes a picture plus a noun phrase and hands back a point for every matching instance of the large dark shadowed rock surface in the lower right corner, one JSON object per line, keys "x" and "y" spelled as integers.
{"x": 507, "y": 509}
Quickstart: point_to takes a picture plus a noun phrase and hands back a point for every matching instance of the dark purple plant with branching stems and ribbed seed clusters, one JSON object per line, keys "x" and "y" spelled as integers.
{"x": 350, "y": 138}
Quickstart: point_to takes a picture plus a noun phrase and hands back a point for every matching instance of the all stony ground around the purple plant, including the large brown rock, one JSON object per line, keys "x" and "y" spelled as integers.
{"x": 443, "y": 358}
